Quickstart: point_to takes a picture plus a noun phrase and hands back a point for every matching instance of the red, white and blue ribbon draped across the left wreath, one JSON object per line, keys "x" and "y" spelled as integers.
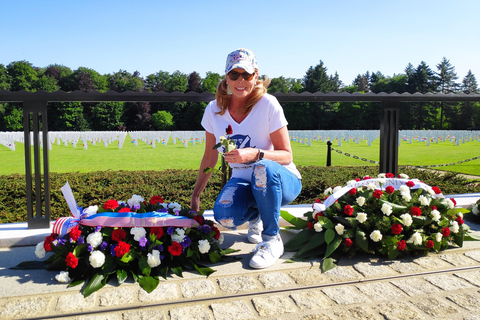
{"x": 63, "y": 226}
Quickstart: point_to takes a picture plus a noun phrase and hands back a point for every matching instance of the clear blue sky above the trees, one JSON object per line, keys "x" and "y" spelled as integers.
{"x": 350, "y": 37}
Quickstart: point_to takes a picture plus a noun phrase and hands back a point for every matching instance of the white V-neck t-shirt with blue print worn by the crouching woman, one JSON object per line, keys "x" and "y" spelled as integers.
{"x": 254, "y": 131}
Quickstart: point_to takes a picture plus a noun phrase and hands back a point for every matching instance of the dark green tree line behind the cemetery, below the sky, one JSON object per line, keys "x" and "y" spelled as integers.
{"x": 108, "y": 116}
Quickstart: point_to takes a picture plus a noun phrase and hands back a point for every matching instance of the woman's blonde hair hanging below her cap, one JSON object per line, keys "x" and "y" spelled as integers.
{"x": 223, "y": 96}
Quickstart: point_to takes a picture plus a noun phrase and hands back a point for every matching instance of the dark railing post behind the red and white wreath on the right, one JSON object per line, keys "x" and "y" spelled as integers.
{"x": 389, "y": 126}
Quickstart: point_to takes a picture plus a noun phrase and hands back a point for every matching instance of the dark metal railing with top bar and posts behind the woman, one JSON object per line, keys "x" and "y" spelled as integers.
{"x": 35, "y": 117}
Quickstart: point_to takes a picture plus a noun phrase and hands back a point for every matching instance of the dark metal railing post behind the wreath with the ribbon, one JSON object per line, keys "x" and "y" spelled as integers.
{"x": 34, "y": 121}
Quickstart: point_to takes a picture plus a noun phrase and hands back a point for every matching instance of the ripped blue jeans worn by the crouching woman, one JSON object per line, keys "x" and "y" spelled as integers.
{"x": 240, "y": 201}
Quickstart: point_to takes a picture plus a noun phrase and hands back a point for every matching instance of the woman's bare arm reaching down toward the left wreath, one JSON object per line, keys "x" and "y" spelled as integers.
{"x": 210, "y": 158}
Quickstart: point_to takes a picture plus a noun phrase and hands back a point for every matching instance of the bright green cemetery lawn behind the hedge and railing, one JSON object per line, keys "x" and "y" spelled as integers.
{"x": 177, "y": 156}
